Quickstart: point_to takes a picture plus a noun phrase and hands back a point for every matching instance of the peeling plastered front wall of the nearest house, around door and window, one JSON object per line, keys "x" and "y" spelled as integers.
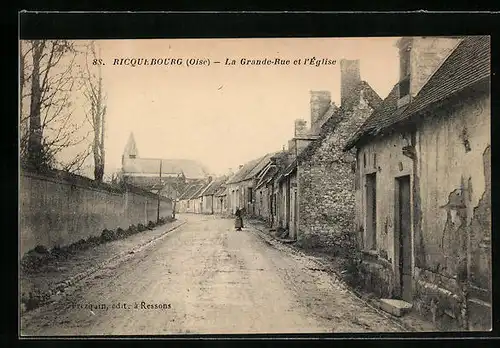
{"x": 451, "y": 209}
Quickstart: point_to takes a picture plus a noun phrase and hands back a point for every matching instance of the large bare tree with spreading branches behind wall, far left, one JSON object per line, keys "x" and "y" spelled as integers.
{"x": 49, "y": 126}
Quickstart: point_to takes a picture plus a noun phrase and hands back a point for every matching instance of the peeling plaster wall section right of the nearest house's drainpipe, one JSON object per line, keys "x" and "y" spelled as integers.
{"x": 454, "y": 235}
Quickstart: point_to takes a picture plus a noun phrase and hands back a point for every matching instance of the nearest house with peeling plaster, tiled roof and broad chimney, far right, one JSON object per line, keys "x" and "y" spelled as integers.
{"x": 423, "y": 185}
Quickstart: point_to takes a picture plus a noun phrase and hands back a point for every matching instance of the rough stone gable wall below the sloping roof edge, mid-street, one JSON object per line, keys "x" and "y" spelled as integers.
{"x": 326, "y": 181}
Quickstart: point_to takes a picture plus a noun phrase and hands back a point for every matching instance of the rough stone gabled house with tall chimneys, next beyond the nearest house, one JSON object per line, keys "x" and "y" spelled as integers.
{"x": 318, "y": 203}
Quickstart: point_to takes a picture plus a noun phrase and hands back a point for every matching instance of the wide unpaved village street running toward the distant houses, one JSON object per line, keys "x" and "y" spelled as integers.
{"x": 210, "y": 279}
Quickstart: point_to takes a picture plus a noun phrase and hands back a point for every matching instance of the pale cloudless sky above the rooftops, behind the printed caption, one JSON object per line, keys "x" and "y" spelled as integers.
{"x": 224, "y": 116}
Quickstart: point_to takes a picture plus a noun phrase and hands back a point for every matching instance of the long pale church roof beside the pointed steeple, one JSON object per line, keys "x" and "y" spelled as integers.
{"x": 189, "y": 168}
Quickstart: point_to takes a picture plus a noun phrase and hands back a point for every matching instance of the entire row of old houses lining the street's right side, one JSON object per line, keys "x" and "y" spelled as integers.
{"x": 407, "y": 177}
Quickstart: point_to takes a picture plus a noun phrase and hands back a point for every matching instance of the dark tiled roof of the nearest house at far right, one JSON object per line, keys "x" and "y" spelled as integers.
{"x": 467, "y": 65}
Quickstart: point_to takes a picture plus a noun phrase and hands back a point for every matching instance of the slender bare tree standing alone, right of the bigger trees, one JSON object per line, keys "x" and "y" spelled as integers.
{"x": 96, "y": 115}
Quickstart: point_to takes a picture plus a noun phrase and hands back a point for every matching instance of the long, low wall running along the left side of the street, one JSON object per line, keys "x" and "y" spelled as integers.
{"x": 60, "y": 209}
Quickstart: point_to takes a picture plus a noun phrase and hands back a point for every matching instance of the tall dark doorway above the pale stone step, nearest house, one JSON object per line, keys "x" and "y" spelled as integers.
{"x": 403, "y": 241}
